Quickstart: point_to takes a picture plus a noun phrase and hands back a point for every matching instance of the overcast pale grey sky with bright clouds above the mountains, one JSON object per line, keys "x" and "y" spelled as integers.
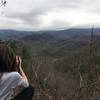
{"x": 49, "y": 14}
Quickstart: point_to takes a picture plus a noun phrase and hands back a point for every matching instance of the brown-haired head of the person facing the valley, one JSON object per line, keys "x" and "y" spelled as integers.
{"x": 7, "y": 59}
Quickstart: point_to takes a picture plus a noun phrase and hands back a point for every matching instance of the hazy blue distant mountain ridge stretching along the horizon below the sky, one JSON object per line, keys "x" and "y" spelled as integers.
{"x": 40, "y": 35}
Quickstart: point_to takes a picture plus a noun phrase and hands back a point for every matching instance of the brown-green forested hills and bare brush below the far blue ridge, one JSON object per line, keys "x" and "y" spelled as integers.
{"x": 60, "y": 69}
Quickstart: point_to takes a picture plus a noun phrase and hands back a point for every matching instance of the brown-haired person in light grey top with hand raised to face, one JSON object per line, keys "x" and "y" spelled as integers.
{"x": 13, "y": 76}
